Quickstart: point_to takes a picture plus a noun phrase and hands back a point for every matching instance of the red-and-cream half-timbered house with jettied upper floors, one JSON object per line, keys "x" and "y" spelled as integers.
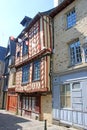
{"x": 32, "y": 62}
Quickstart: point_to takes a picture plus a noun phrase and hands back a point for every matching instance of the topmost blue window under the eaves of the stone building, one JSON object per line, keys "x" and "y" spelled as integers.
{"x": 71, "y": 18}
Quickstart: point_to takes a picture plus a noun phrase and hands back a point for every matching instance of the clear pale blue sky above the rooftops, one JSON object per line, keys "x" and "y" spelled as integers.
{"x": 13, "y": 11}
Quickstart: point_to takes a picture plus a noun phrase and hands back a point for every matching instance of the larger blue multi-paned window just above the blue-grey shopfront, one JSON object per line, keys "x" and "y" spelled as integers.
{"x": 75, "y": 53}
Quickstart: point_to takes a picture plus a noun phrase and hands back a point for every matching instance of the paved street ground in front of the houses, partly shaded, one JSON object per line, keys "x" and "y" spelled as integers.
{"x": 9, "y": 121}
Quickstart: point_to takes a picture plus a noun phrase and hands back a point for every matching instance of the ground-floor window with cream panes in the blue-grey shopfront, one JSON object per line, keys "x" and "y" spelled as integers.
{"x": 65, "y": 97}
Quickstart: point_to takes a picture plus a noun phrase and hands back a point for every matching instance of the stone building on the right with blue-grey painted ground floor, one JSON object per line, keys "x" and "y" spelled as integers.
{"x": 70, "y": 63}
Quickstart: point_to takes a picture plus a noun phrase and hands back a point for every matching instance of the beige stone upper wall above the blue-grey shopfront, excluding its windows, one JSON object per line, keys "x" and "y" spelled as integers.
{"x": 63, "y": 36}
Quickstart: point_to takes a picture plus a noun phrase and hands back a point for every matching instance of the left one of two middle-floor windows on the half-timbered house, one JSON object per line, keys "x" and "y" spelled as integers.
{"x": 25, "y": 73}
